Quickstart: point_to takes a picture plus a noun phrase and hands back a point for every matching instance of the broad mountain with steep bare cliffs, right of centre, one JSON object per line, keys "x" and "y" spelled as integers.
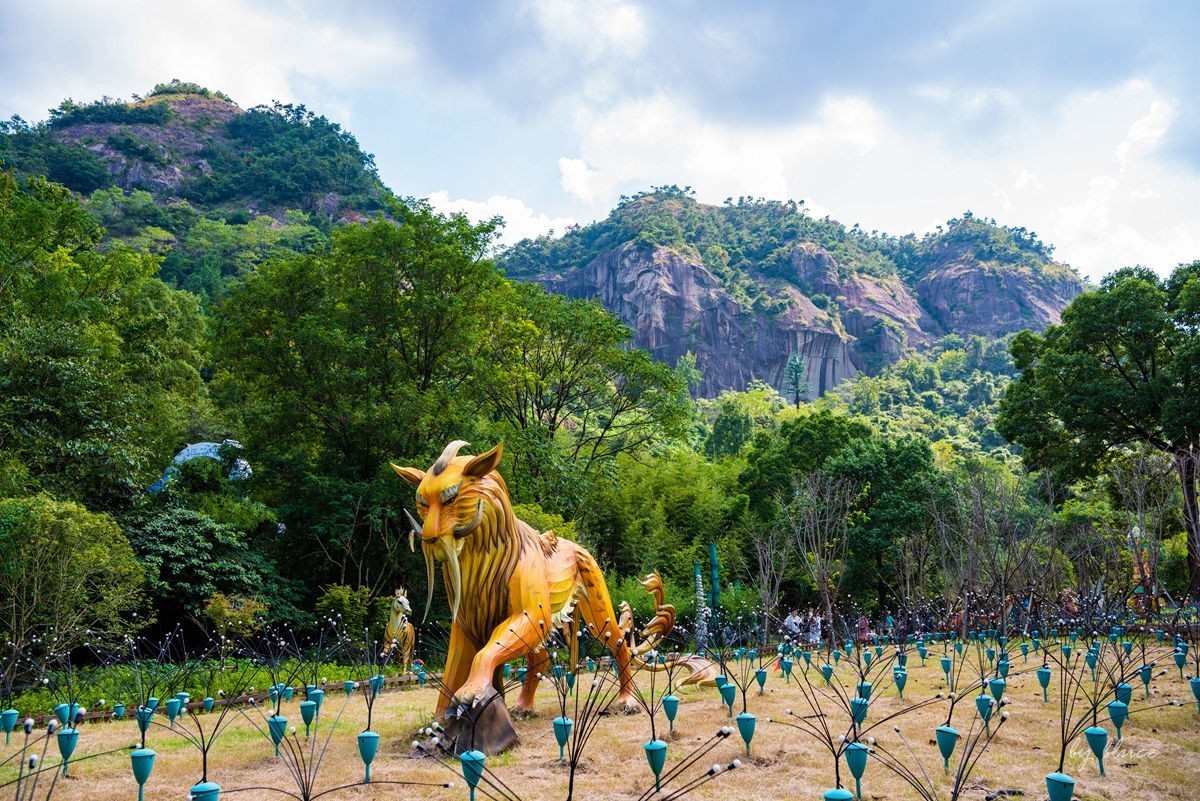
{"x": 747, "y": 285}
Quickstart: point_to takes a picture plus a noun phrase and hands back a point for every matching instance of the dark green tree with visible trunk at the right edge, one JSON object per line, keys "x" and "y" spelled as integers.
{"x": 1124, "y": 369}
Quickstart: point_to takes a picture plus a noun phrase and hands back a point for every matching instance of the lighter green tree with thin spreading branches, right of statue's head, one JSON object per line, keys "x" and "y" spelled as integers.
{"x": 562, "y": 378}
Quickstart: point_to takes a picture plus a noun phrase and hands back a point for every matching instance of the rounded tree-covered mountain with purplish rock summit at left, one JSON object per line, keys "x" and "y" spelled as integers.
{"x": 188, "y": 174}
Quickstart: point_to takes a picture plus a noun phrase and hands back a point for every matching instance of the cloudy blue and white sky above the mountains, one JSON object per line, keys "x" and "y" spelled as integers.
{"x": 1079, "y": 121}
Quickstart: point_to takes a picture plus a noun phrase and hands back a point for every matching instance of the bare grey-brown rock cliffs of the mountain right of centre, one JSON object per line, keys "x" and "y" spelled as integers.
{"x": 841, "y": 324}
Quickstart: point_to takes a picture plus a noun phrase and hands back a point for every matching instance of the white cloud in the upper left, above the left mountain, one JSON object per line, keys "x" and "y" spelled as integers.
{"x": 253, "y": 53}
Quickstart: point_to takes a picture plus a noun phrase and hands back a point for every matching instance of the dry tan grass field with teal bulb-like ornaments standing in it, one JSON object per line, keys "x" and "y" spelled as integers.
{"x": 1156, "y": 760}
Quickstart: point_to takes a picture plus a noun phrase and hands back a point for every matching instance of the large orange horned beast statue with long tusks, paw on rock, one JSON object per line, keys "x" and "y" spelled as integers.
{"x": 509, "y": 587}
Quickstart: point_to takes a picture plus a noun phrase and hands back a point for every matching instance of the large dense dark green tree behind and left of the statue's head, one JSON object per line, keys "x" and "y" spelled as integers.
{"x": 335, "y": 363}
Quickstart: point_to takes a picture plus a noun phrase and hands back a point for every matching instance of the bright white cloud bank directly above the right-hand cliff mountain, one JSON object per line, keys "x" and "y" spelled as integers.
{"x": 1088, "y": 179}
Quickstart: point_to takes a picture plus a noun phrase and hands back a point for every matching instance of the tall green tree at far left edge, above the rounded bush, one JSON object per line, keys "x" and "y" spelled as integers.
{"x": 99, "y": 359}
